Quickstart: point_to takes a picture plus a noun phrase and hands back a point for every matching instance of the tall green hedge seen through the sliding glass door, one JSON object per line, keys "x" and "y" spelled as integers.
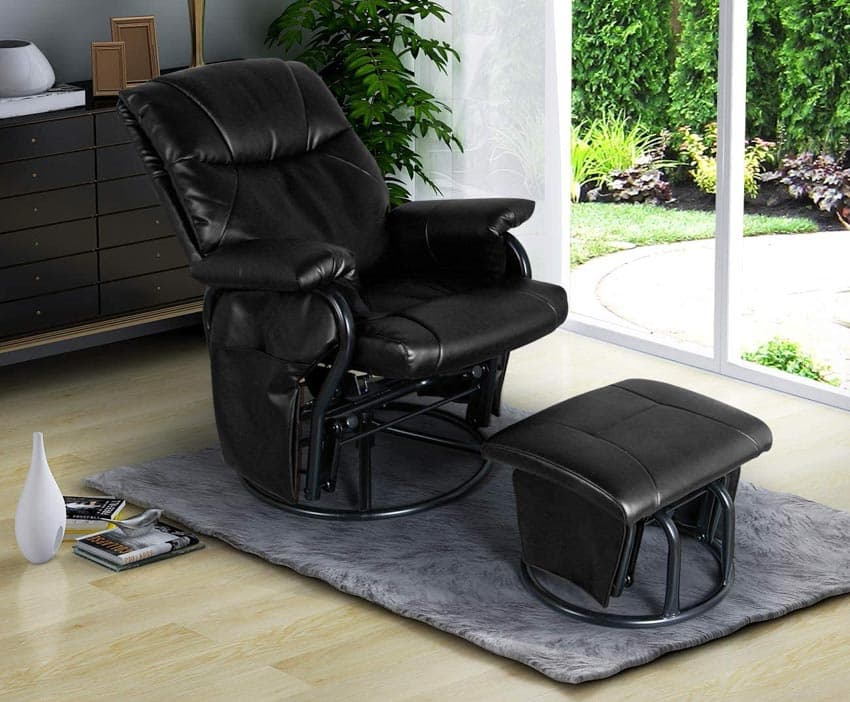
{"x": 798, "y": 87}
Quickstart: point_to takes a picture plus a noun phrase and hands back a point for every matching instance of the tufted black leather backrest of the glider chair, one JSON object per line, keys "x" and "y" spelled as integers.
{"x": 257, "y": 149}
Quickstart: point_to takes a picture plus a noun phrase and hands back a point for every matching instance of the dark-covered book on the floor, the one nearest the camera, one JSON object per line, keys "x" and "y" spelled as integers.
{"x": 122, "y": 550}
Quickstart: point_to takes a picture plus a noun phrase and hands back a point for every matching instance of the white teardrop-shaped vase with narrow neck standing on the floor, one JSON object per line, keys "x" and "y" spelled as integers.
{"x": 40, "y": 516}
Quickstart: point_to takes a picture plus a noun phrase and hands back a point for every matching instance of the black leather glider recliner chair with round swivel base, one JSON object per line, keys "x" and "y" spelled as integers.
{"x": 323, "y": 307}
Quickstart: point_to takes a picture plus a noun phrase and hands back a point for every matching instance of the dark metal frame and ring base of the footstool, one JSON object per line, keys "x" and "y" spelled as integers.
{"x": 717, "y": 507}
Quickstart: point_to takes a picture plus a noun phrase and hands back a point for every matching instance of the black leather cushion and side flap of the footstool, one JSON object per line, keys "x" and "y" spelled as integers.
{"x": 592, "y": 467}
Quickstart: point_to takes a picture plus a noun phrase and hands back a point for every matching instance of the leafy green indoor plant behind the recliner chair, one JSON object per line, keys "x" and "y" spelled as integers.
{"x": 364, "y": 50}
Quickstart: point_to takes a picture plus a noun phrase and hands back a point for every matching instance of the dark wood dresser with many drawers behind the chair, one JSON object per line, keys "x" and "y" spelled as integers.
{"x": 84, "y": 246}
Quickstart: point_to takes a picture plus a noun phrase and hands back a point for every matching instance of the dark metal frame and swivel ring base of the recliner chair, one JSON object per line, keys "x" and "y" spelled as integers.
{"x": 338, "y": 418}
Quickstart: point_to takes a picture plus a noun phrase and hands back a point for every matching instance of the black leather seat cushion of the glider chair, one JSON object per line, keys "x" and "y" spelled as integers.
{"x": 418, "y": 329}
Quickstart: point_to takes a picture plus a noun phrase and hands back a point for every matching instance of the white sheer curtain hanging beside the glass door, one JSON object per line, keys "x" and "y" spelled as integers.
{"x": 508, "y": 112}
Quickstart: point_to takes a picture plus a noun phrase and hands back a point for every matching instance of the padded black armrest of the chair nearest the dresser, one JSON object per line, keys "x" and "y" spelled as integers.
{"x": 290, "y": 265}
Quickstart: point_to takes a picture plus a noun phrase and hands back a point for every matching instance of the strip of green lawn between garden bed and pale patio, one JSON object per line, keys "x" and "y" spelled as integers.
{"x": 599, "y": 229}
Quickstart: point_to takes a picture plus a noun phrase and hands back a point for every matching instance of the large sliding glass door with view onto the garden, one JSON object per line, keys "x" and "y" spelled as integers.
{"x": 677, "y": 276}
